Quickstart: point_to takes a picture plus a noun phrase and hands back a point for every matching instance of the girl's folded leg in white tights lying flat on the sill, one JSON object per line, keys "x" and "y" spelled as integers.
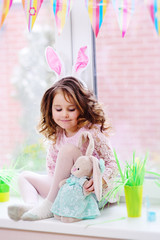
{"x": 31, "y": 185}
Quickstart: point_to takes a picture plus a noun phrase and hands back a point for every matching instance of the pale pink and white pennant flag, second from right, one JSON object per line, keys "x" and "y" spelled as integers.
{"x": 124, "y": 10}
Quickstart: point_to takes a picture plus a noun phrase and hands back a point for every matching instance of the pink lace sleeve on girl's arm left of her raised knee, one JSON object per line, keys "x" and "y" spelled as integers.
{"x": 51, "y": 158}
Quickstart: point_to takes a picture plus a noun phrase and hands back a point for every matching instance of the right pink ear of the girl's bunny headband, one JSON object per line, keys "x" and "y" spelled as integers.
{"x": 82, "y": 60}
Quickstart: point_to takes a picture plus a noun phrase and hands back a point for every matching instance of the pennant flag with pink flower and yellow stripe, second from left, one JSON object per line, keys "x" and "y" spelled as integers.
{"x": 31, "y": 8}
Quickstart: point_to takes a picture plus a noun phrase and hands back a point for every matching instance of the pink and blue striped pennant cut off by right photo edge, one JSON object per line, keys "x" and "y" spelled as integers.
{"x": 154, "y": 10}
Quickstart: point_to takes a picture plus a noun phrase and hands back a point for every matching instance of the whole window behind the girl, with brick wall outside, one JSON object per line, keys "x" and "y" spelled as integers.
{"x": 125, "y": 77}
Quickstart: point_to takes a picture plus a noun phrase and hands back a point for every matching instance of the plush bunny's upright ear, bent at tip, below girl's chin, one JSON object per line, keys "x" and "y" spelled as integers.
{"x": 83, "y": 138}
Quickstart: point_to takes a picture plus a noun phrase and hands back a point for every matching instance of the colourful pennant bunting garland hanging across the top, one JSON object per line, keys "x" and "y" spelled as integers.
{"x": 96, "y": 9}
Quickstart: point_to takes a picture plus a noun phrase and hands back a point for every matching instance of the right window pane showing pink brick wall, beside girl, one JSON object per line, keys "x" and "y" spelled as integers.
{"x": 128, "y": 81}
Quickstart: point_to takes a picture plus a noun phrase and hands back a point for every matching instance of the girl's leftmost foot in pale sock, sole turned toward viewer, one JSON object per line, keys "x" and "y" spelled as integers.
{"x": 16, "y": 211}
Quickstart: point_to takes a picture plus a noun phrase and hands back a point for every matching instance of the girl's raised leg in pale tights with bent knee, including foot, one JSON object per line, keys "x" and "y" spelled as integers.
{"x": 65, "y": 160}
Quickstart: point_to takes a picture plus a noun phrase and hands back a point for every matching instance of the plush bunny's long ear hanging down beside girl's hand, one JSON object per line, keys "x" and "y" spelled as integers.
{"x": 97, "y": 178}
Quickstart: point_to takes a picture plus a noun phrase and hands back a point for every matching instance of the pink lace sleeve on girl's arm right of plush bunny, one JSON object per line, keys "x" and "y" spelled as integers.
{"x": 103, "y": 150}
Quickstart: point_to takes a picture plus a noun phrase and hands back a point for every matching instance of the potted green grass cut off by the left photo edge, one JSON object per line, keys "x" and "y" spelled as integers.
{"x": 8, "y": 176}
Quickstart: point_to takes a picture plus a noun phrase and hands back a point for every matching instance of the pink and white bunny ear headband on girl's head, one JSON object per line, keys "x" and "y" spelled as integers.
{"x": 57, "y": 66}
